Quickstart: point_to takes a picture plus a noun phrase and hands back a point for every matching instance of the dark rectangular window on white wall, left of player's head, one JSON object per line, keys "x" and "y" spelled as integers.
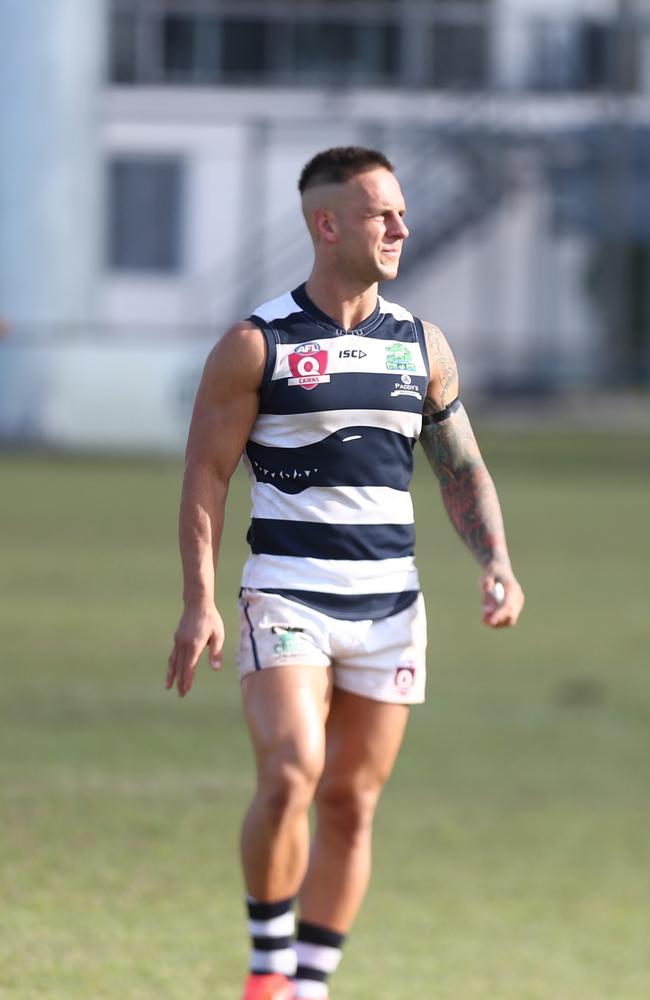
{"x": 145, "y": 214}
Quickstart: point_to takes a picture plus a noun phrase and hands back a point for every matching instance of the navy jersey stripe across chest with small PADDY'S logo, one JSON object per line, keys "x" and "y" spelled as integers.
{"x": 385, "y": 390}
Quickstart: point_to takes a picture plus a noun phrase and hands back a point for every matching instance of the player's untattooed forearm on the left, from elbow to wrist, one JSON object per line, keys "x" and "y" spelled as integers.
{"x": 201, "y": 518}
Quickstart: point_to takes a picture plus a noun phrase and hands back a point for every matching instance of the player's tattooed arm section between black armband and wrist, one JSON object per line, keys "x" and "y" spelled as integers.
{"x": 468, "y": 492}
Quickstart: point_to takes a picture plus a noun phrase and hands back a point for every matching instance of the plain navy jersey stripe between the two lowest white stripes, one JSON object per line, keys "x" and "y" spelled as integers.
{"x": 331, "y": 541}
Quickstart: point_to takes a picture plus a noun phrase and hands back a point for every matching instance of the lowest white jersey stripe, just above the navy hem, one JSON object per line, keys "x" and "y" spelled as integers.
{"x": 336, "y": 576}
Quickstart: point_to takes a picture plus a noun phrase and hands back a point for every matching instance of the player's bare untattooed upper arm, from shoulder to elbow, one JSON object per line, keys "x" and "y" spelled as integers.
{"x": 227, "y": 400}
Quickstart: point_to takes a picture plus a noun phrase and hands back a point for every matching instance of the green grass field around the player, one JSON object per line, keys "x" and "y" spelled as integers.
{"x": 512, "y": 855}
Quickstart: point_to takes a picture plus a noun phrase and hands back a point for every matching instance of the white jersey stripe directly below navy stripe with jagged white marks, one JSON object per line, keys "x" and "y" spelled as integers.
{"x": 335, "y": 504}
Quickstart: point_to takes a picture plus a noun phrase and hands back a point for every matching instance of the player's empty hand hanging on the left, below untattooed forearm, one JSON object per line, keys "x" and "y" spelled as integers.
{"x": 199, "y": 627}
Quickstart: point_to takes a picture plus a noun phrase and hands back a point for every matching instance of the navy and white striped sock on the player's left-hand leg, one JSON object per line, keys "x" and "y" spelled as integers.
{"x": 271, "y": 927}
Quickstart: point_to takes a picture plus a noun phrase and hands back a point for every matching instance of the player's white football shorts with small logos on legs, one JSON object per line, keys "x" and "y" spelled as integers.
{"x": 384, "y": 659}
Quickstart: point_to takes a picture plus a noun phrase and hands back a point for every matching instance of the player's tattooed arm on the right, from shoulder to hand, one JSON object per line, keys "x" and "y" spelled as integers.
{"x": 468, "y": 492}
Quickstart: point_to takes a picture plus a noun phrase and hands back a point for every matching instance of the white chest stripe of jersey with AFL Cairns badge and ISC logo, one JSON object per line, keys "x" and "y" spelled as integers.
{"x": 363, "y": 355}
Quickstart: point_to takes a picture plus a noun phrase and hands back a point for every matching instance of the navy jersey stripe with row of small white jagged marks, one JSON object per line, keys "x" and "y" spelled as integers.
{"x": 356, "y": 456}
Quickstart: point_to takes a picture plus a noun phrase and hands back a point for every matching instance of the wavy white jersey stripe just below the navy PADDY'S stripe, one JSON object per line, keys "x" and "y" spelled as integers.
{"x": 270, "y": 429}
